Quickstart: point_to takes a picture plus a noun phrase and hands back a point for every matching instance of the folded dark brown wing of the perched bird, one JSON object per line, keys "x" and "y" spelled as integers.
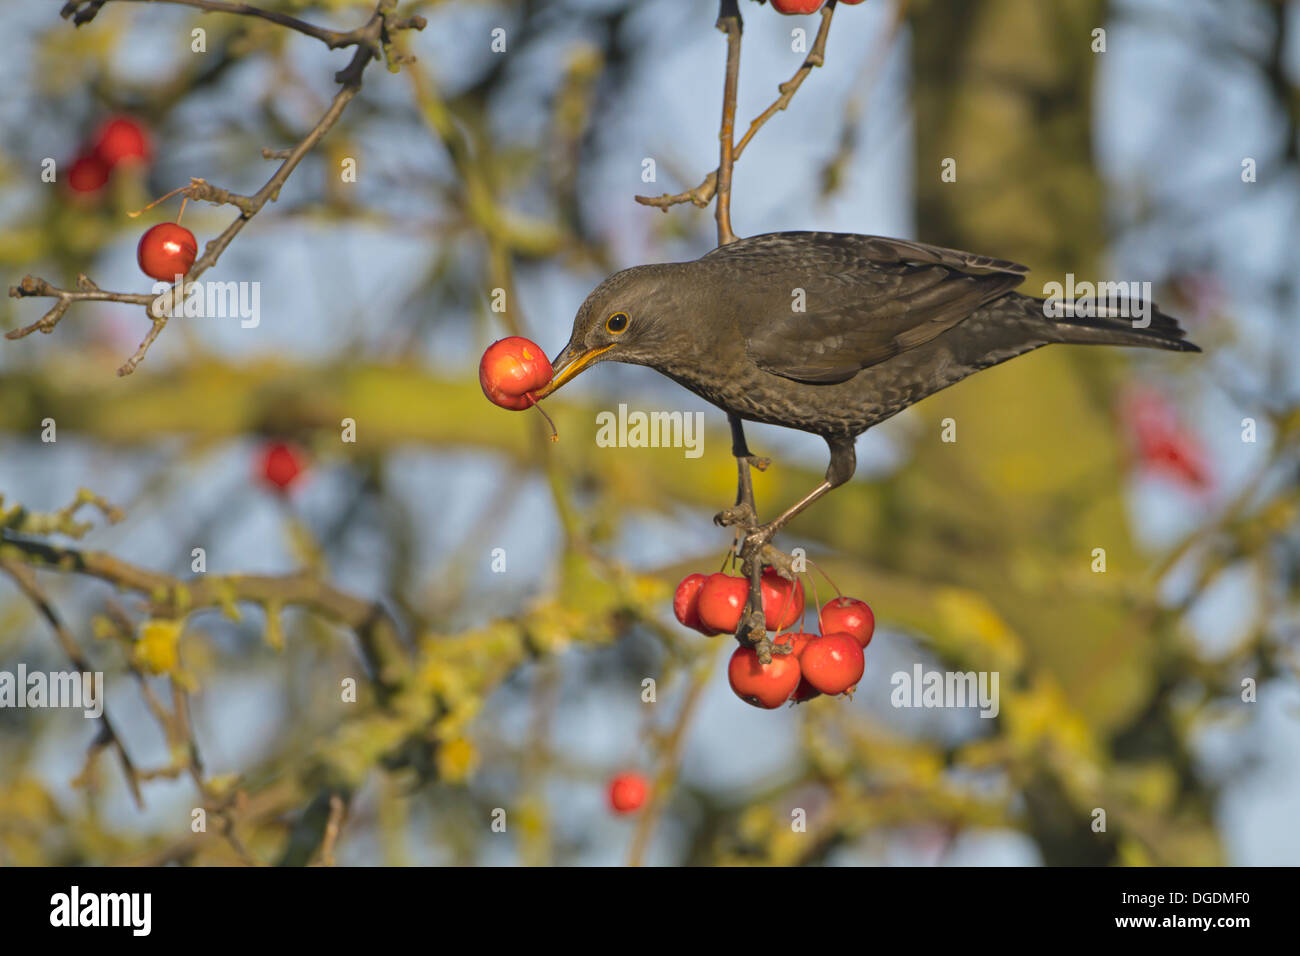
{"x": 866, "y": 299}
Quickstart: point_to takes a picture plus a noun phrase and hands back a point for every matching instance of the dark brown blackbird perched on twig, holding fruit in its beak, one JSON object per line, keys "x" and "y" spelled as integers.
{"x": 833, "y": 334}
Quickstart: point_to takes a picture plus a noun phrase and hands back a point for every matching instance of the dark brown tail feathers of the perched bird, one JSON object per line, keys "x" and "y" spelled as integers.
{"x": 1084, "y": 323}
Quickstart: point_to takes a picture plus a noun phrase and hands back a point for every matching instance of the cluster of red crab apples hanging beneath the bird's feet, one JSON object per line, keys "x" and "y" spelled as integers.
{"x": 804, "y": 665}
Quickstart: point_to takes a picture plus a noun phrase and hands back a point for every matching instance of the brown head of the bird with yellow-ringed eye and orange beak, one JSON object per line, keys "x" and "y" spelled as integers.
{"x": 629, "y": 318}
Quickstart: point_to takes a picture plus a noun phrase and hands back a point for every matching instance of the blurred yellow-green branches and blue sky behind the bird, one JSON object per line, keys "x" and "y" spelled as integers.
{"x": 514, "y": 680}
